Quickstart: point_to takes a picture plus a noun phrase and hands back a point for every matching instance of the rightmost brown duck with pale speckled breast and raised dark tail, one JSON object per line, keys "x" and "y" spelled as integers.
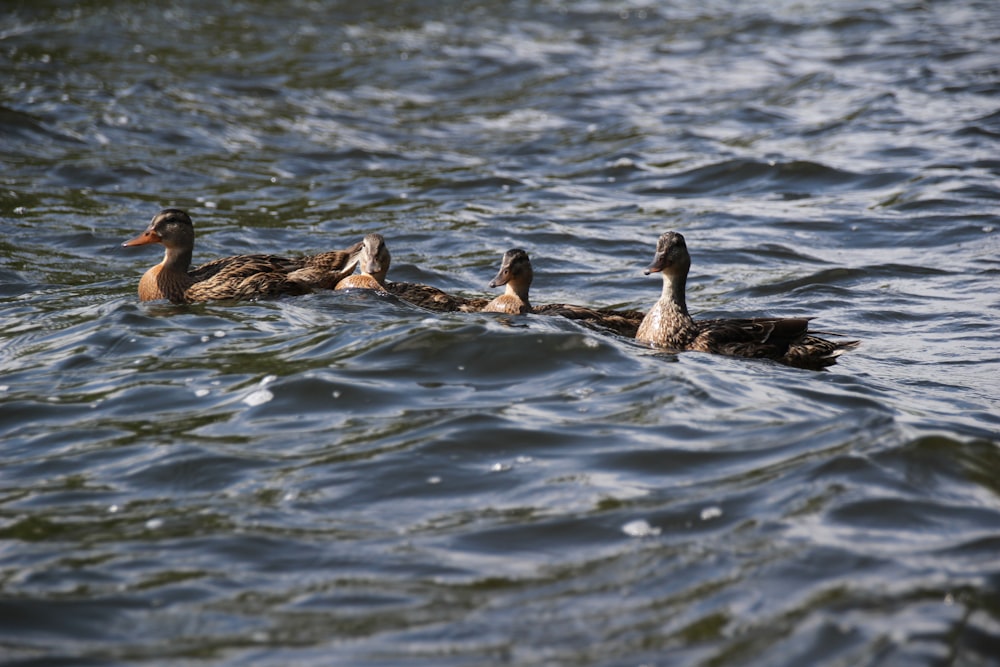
{"x": 668, "y": 324}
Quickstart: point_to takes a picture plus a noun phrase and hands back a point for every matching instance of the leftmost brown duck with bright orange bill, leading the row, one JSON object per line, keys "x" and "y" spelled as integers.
{"x": 230, "y": 278}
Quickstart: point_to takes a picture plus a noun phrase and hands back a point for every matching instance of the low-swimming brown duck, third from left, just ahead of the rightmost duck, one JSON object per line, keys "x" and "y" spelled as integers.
{"x": 516, "y": 275}
